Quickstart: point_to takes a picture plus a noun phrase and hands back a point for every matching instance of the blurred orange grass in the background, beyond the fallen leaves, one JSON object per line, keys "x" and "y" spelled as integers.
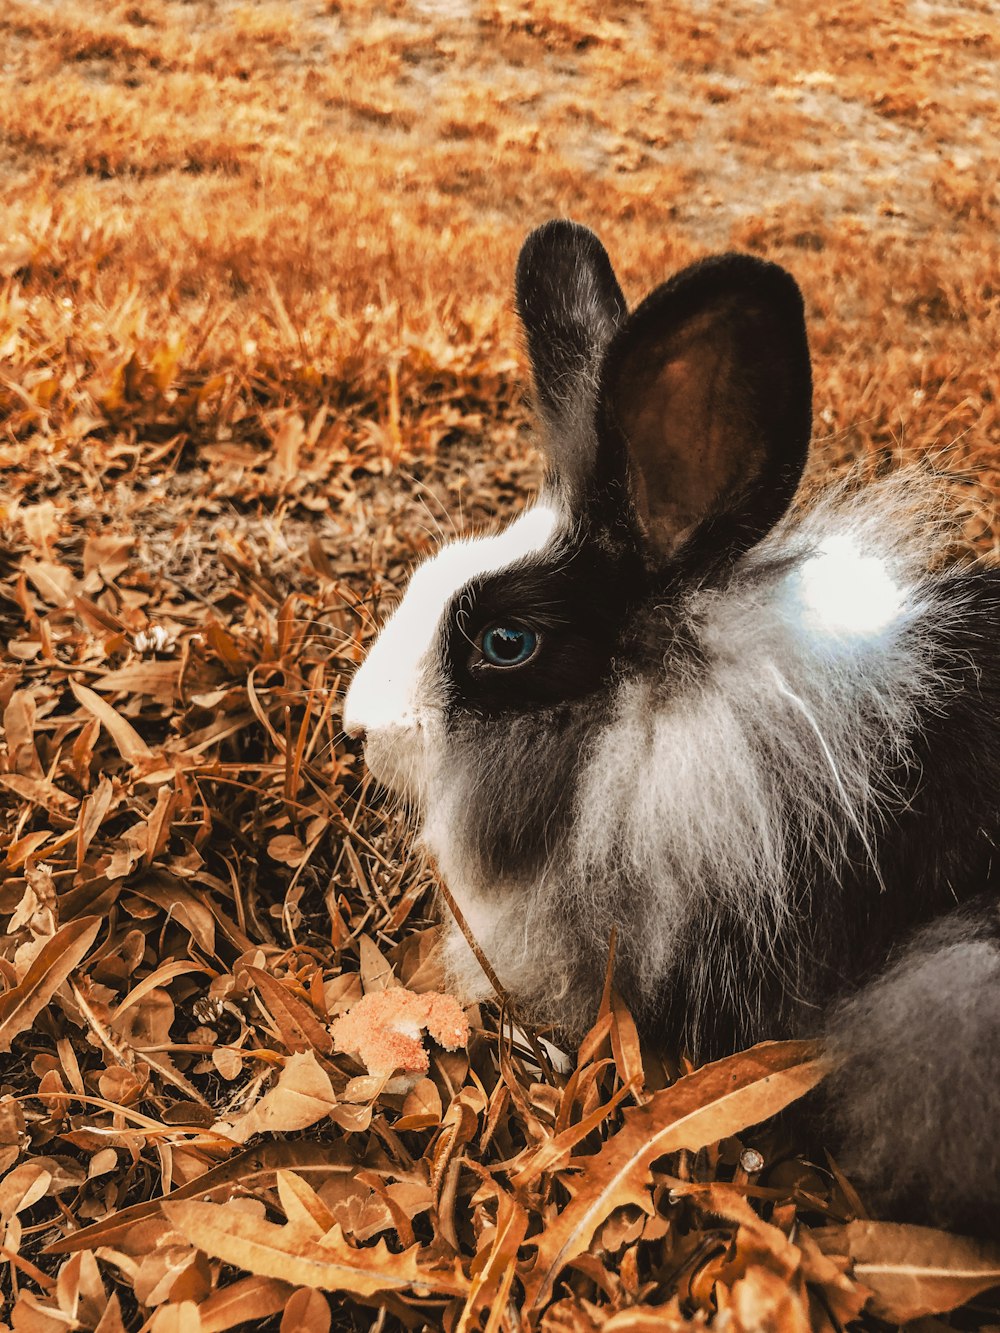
{"x": 211, "y": 211}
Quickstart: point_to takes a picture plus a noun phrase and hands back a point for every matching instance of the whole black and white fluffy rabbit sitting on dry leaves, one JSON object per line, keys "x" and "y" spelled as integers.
{"x": 765, "y": 748}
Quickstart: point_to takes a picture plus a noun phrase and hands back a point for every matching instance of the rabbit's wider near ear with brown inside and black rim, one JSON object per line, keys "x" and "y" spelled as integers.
{"x": 709, "y": 390}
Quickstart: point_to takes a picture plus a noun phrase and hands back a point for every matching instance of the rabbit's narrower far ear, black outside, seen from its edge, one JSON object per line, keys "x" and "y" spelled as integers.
{"x": 570, "y": 305}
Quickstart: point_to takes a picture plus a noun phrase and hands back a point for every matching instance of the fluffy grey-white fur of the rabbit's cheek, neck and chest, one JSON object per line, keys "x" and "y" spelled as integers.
{"x": 730, "y": 818}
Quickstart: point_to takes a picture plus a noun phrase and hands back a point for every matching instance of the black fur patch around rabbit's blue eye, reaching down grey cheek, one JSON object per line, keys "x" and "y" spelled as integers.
{"x": 522, "y": 730}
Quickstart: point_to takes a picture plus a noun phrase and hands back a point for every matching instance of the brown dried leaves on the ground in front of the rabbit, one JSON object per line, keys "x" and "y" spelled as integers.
{"x": 198, "y": 888}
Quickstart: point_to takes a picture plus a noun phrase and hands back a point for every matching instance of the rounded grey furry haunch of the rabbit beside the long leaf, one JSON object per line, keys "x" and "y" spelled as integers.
{"x": 915, "y": 1100}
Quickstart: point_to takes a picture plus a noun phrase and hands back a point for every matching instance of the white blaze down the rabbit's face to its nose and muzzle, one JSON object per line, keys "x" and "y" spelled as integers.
{"x": 398, "y": 691}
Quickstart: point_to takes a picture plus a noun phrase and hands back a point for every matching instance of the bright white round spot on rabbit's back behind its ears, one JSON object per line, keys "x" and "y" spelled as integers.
{"x": 849, "y": 594}
